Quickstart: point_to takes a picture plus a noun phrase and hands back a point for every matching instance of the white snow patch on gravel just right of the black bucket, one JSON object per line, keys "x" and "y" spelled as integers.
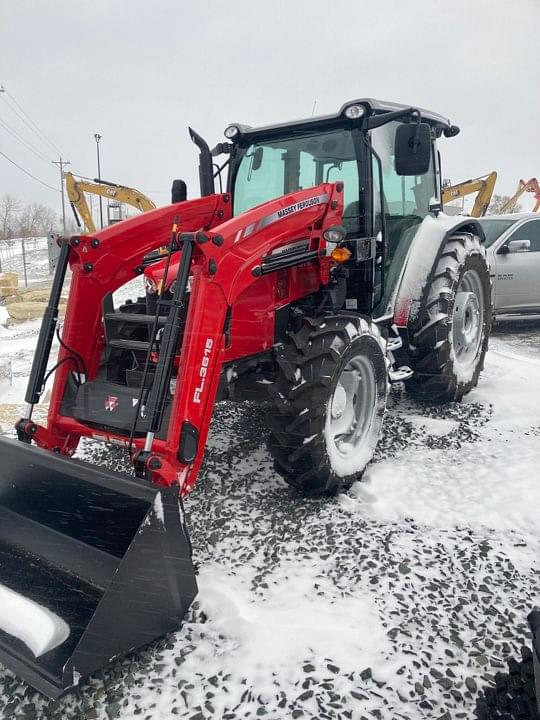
{"x": 291, "y": 623}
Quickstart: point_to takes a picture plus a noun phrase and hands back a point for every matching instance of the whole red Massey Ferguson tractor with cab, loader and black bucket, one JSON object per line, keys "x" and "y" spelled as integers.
{"x": 321, "y": 271}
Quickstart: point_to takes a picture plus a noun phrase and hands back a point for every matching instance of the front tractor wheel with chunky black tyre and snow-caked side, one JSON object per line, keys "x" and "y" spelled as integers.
{"x": 328, "y": 402}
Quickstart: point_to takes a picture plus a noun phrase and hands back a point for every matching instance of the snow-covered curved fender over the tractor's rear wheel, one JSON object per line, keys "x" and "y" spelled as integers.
{"x": 426, "y": 249}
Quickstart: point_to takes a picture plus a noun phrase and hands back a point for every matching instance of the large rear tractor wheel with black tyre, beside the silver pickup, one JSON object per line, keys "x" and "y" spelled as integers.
{"x": 449, "y": 329}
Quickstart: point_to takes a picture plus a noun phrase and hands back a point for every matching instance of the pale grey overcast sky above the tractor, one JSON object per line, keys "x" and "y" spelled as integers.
{"x": 140, "y": 71}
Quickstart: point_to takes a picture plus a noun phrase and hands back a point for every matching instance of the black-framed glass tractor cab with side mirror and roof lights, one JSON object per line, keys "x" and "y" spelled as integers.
{"x": 386, "y": 156}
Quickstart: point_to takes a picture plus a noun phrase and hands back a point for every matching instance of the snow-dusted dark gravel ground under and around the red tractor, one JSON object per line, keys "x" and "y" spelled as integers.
{"x": 399, "y": 599}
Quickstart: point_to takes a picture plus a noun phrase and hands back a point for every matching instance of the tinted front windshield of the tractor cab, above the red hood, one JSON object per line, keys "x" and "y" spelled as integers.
{"x": 271, "y": 168}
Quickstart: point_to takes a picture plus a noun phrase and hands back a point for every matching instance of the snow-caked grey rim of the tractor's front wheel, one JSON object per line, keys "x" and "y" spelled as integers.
{"x": 352, "y": 407}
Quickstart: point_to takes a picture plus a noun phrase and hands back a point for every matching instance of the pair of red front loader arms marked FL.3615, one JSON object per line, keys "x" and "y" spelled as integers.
{"x": 226, "y": 257}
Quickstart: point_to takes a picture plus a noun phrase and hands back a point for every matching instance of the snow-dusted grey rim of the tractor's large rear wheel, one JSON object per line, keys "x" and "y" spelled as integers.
{"x": 468, "y": 319}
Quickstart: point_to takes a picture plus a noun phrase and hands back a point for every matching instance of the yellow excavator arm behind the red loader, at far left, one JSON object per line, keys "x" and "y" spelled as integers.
{"x": 76, "y": 189}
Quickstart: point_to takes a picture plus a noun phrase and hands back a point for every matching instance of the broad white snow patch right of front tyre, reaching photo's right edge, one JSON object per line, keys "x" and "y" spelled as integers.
{"x": 489, "y": 484}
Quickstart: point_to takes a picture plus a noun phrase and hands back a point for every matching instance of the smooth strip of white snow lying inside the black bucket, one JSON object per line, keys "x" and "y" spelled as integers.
{"x": 39, "y": 629}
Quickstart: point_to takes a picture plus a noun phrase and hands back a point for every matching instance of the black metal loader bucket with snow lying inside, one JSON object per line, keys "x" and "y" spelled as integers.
{"x": 93, "y": 564}
